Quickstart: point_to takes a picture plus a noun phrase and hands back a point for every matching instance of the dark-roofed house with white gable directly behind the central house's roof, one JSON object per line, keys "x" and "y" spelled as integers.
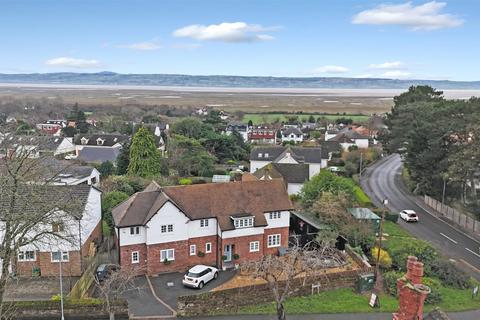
{"x": 294, "y": 175}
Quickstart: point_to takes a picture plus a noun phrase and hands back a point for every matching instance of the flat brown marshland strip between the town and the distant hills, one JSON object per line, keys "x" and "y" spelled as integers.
{"x": 229, "y": 99}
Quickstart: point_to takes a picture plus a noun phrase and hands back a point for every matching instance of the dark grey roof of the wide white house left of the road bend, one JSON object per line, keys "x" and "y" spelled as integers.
{"x": 307, "y": 155}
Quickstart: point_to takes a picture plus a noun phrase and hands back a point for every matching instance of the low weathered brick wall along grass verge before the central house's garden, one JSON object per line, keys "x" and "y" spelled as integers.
{"x": 213, "y": 302}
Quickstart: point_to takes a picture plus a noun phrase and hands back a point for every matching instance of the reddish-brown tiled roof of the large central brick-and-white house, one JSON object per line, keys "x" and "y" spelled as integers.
{"x": 213, "y": 200}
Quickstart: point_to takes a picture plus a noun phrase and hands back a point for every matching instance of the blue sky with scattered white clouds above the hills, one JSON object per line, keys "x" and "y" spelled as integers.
{"x": 300, "y": 38}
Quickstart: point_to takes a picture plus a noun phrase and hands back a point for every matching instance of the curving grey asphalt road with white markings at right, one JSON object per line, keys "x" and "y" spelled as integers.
{"x": 383, "y": 181}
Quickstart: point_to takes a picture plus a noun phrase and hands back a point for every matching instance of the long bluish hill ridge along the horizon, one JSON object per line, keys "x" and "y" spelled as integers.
{"x": 112, "y": 78}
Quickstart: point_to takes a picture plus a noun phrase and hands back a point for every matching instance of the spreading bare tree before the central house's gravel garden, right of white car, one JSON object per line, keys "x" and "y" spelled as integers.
{"x": 300, "y": 263}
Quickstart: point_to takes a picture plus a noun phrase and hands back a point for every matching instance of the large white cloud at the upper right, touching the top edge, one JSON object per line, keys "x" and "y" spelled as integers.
{"x": 427, "y": 16}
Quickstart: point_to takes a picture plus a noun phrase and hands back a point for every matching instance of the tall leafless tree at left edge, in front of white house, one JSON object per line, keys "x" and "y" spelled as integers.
{"x": 29, "y": 207}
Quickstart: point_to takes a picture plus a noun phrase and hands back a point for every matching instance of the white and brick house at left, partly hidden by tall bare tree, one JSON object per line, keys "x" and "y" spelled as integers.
{"x": 79, "y": 230}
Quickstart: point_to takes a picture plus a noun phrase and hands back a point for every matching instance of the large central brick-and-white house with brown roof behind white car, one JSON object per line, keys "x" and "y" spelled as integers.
{"x": 172, "y": 228}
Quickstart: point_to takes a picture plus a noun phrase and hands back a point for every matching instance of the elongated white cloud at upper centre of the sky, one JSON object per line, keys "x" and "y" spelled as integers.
{"x": 226, "y": 32}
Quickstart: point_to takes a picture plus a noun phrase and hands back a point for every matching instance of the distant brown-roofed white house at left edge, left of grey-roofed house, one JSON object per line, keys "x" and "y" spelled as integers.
{"x": 36, "y": 146}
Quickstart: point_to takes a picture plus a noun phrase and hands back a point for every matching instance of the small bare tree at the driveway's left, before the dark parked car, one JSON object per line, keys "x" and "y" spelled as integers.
{"x": 114, "y": 286}
